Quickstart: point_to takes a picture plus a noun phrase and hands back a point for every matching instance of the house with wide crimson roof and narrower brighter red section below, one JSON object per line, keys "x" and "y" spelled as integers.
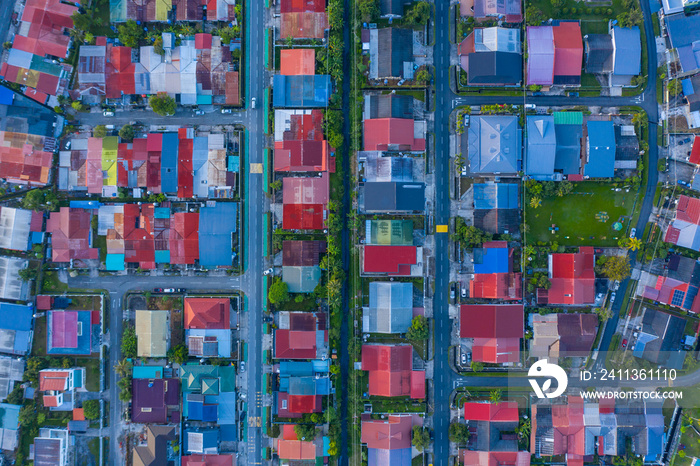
{"x": 496, "y": 330}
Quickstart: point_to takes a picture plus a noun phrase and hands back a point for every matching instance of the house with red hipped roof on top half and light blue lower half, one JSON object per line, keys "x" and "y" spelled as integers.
{"x": 207, "y": 327}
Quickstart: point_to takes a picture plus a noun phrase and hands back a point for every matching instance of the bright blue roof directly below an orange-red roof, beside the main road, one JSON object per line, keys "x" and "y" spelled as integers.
{"x": 301, "y": 91}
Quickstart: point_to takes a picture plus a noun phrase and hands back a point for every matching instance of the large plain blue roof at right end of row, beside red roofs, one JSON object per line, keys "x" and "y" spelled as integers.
{"x": 216, "y": 224}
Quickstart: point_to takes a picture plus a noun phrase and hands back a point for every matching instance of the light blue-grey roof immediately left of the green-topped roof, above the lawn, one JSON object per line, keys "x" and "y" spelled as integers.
{"x": 541, "y": 145}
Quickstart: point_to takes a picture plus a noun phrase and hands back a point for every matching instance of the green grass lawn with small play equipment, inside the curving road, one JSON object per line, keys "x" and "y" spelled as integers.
{"x": 575, "y": 215}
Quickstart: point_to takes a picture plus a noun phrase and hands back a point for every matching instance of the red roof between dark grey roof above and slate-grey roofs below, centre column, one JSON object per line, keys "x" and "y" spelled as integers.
{"x": 380, "y": 133}
